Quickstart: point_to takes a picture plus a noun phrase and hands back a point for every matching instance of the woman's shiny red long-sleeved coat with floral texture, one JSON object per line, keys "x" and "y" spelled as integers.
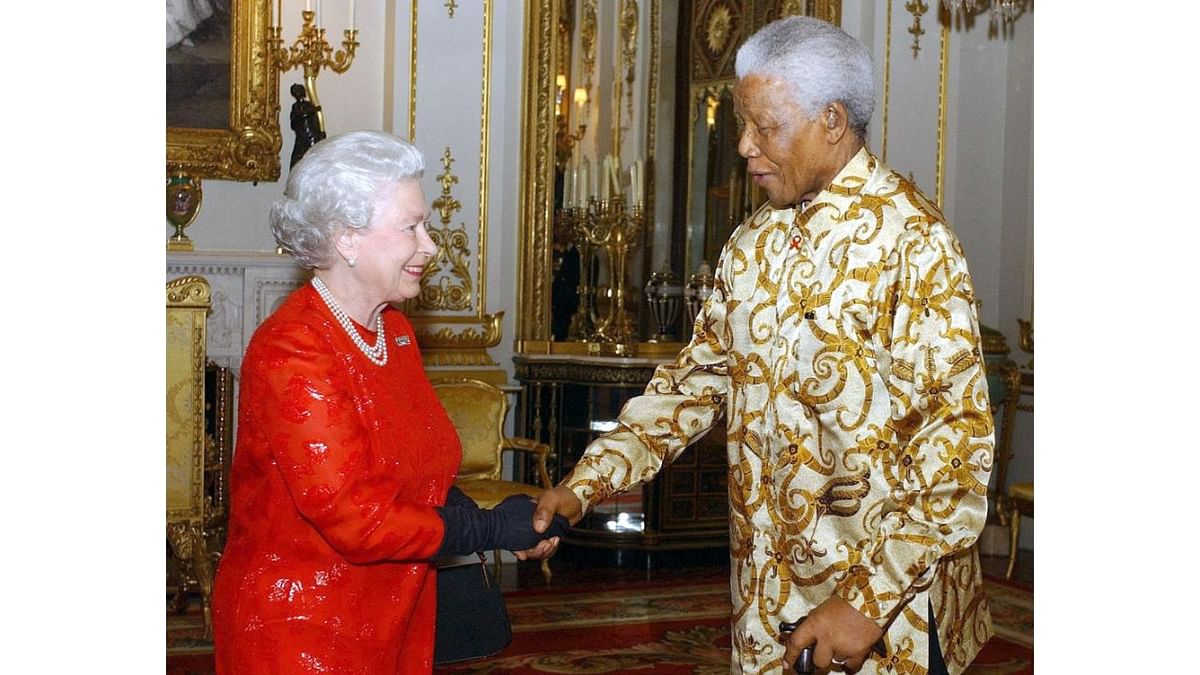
{"x": 338, "y": 469}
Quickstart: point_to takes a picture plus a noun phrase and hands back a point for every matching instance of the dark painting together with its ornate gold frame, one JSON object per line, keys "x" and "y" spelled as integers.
{"x": 223, "y": 91}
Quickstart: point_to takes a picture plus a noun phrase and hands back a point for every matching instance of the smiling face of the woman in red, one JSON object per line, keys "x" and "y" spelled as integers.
{"x": 394, "y": 249}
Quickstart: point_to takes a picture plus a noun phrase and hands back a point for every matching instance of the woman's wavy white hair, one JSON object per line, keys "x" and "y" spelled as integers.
{"x": 335, "y": 187}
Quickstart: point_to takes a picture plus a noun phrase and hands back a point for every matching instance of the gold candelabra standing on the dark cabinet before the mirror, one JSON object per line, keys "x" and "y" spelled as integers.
{"x": 605, "y": 225}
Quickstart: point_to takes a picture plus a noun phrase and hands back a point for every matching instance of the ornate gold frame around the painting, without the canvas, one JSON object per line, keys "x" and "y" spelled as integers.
{"x": 249, "y": 150}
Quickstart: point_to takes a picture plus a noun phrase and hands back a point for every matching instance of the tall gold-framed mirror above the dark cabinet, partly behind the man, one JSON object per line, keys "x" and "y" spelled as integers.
{"x": 628, "y": 121}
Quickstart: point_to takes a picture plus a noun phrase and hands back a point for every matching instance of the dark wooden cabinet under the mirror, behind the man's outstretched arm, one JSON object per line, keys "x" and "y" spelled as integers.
{"x": 569, "y": 401}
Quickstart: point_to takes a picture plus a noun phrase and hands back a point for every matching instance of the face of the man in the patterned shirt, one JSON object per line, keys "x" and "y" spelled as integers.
{"x": 788, "y": 154}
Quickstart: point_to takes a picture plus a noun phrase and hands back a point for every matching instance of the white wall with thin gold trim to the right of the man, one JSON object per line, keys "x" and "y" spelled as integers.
{"x": 988, "y": 166}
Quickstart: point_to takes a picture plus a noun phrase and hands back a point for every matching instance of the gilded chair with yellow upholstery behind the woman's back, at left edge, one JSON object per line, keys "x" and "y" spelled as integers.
{"x": 188, "y": 505}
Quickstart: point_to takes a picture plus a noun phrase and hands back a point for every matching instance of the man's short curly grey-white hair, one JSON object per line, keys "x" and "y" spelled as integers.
{"x": 819, "y": 62}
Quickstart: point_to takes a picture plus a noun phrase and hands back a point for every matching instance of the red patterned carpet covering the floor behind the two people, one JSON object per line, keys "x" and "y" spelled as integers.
{"x": 652, "y": 629}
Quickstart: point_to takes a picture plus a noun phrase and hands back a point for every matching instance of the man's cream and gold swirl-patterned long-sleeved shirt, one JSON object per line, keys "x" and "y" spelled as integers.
{"x": 843, "y": 347}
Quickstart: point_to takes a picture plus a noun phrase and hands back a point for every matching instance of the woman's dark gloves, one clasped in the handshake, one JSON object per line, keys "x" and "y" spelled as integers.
{"x": 508, "y": 527}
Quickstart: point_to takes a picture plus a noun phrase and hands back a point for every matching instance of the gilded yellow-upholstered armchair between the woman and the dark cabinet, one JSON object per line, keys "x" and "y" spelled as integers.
{"x": 478, "y": 411}
